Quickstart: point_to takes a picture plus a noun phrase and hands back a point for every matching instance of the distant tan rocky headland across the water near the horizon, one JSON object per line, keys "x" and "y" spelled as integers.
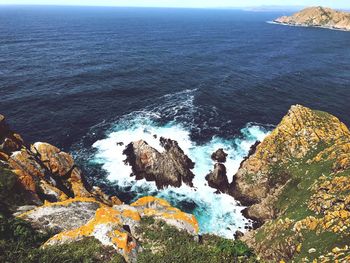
{"x": 318, "y": 17}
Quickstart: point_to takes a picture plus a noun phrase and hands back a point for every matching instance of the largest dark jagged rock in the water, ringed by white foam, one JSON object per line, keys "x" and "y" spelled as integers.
{"x": 171, "y": 167}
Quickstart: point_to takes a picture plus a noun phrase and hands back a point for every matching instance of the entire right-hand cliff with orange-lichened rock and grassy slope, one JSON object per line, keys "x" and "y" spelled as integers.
{"x": 296, "y": 184}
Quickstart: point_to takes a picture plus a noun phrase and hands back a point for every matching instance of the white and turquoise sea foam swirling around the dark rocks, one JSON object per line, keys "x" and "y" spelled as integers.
{"x": 216, "y": 213}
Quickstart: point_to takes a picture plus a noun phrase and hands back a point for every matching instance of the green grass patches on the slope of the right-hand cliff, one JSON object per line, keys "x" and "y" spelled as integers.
{"x": 293, "y": 204}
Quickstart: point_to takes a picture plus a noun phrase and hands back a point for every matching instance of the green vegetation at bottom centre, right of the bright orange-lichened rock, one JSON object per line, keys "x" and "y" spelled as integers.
{"x": 163, "y": 243}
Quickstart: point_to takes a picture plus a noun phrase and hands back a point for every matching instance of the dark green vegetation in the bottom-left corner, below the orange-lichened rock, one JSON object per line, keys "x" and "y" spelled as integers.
{"x": 20, "y": 243}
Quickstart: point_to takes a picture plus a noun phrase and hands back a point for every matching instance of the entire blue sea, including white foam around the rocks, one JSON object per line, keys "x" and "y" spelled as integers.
{"x": 84, "y": 78}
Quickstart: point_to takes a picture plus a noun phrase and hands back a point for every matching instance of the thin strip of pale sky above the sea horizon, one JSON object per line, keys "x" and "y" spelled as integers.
{"x": 185, "y": 3}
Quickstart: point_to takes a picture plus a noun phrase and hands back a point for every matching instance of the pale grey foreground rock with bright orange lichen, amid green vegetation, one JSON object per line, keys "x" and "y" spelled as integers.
{"x": 112, "y": 226}
